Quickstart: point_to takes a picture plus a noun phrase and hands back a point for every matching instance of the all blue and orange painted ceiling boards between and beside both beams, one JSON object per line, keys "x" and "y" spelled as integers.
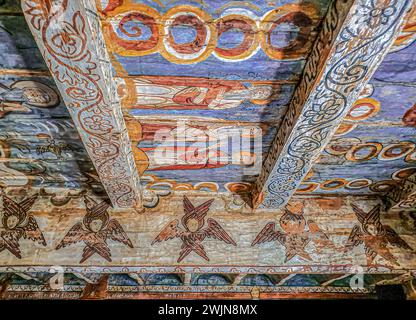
{"x": 371, "y": 151}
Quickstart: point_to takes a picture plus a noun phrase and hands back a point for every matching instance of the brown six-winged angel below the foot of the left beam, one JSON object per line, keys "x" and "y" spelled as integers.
{"x": 95, "y": 230}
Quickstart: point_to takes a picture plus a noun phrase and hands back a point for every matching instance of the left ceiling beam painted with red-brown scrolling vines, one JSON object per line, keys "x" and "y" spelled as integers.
{"x": 69, "y": 37}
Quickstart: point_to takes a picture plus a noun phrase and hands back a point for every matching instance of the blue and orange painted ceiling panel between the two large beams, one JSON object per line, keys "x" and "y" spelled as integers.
{"x": 198, "y": 62}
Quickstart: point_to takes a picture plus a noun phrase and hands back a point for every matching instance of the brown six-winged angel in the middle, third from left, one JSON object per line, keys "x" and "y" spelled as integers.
{"x": 192, "y": 233}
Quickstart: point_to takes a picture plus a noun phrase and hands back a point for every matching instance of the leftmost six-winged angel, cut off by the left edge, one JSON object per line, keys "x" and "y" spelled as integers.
{"x": 18, "y": 223}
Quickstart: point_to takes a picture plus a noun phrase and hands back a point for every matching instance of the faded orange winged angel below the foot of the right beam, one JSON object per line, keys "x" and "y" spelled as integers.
{"x": 297, "y": 234}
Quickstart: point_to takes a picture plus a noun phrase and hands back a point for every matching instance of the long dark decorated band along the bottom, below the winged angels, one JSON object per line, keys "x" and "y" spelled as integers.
{"x": 46, "y": 285}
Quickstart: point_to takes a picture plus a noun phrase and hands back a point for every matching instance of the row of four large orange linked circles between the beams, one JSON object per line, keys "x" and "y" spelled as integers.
{"x": 129, "y": 41}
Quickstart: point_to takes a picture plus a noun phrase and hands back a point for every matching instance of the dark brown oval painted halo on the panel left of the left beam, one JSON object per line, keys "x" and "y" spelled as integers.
{"x": 37, "y": 94}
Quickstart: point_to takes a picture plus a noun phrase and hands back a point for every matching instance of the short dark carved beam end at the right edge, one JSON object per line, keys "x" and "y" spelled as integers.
{"x": 404, "y": 195}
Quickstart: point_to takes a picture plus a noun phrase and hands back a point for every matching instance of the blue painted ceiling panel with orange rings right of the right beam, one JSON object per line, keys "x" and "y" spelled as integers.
{"x": 373, "y": 150}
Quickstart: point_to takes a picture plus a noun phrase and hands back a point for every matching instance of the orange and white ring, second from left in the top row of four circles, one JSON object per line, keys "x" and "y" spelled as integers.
{"x": 204, "y": 41}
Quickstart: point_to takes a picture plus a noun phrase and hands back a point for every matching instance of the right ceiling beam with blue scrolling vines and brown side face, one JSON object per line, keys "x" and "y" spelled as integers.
{"x": 355, "y": 37}
